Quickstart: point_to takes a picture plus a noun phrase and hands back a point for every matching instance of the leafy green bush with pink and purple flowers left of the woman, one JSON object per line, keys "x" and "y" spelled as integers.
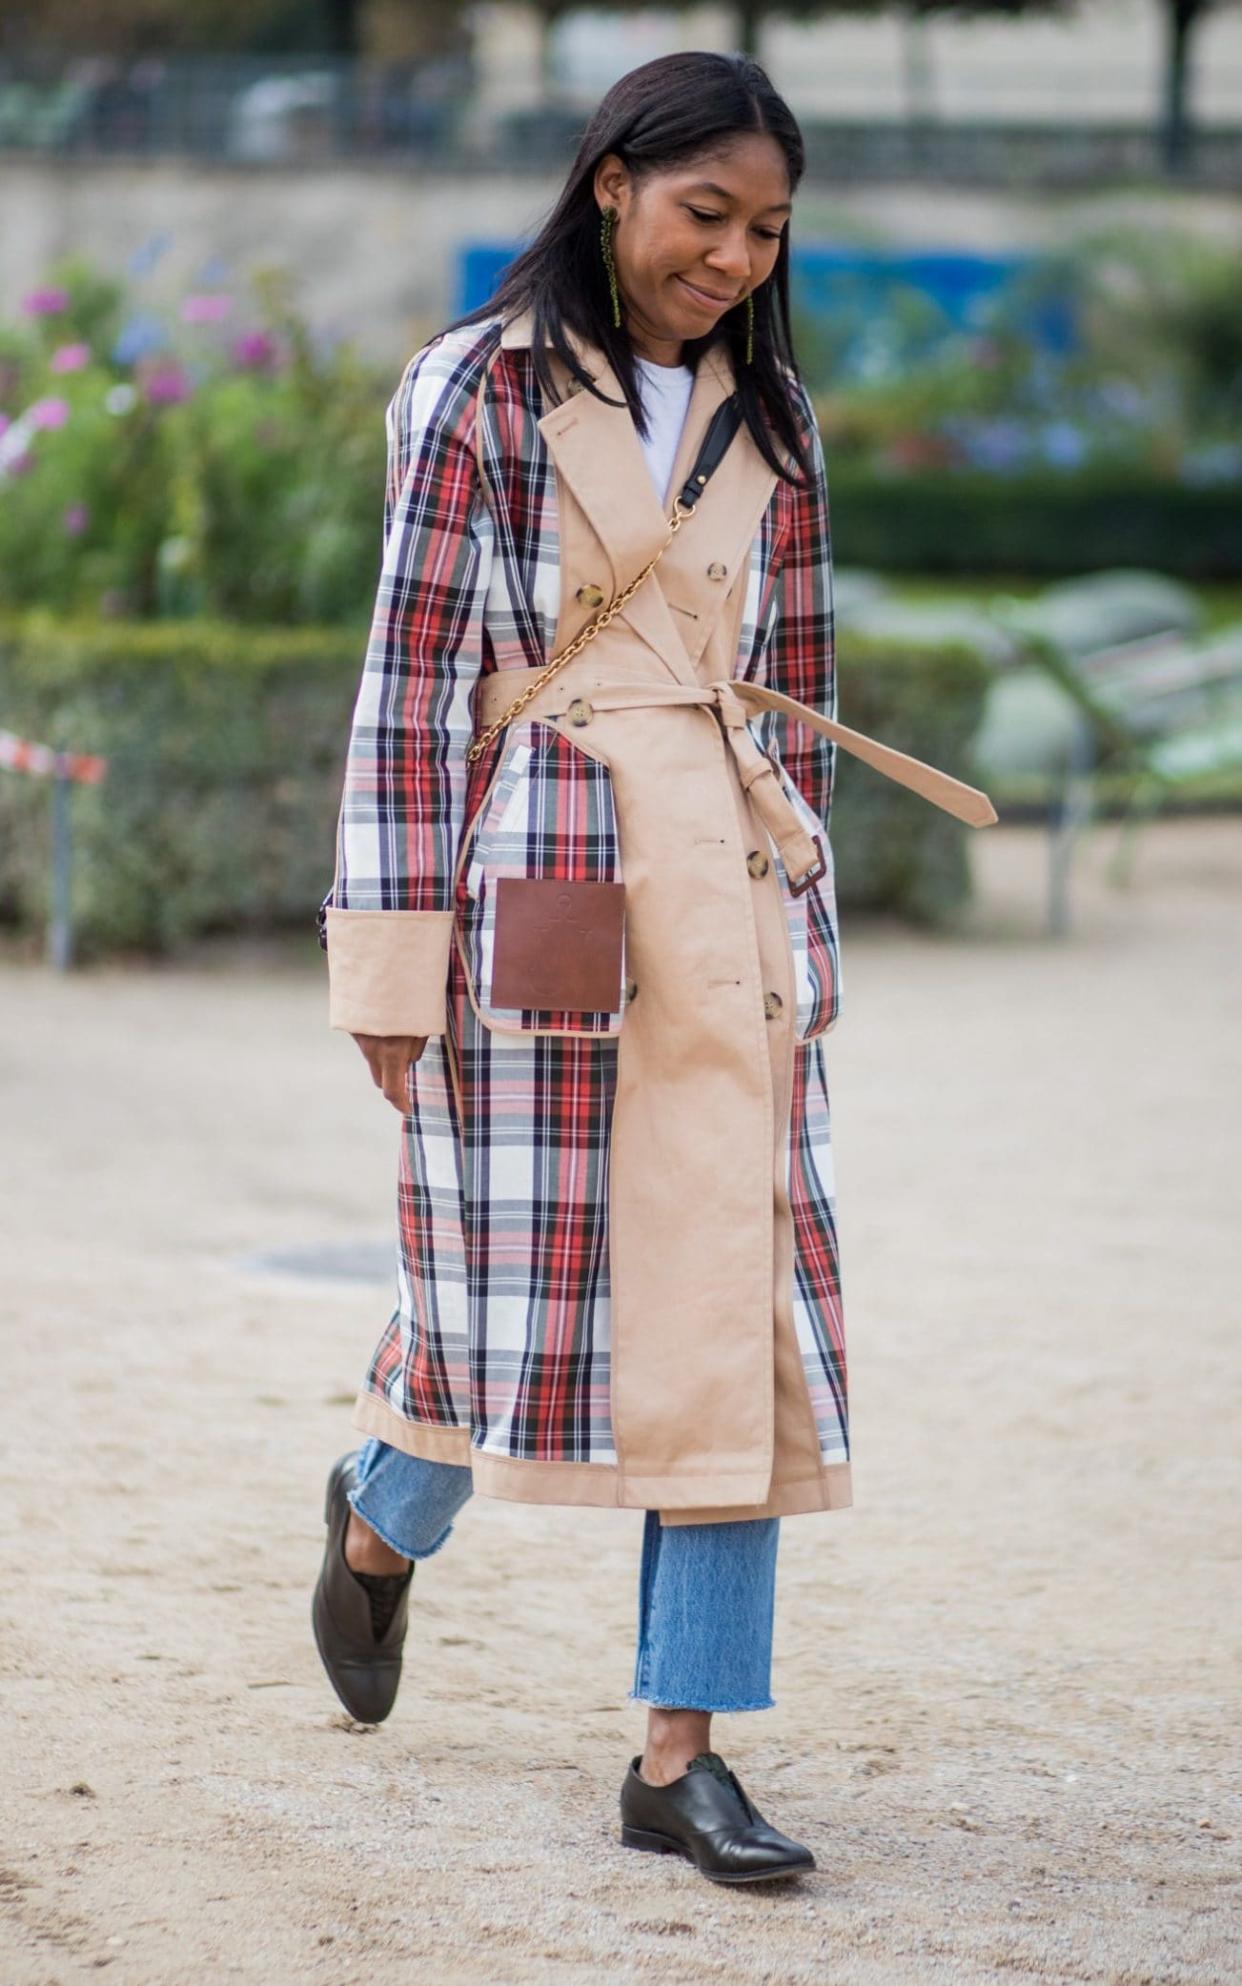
{"x": 226, "y": 466}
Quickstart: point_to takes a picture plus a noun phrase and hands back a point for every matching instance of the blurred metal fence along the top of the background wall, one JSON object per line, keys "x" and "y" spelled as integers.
{"x": 257, "y": 112}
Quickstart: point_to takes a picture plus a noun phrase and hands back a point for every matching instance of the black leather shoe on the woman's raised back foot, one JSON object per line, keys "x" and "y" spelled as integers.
{"x": 365, "y": 1667}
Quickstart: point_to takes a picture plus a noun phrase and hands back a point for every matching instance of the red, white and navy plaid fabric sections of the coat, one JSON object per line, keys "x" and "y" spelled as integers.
{"x": 504, "y": 1298}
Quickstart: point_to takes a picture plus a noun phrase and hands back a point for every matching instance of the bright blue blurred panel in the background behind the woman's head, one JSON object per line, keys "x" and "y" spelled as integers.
{"x": 885, "y": 309}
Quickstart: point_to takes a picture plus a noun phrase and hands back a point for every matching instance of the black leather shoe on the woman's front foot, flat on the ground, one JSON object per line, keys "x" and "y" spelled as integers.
{"x": 708, "y": 1818}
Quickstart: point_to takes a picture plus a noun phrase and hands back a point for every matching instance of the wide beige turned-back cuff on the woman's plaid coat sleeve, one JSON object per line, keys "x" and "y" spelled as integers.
{"x": 388, "y": 970}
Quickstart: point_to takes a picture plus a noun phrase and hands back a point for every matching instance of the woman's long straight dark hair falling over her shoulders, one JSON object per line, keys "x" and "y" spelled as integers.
{"x": 661, "y": 116}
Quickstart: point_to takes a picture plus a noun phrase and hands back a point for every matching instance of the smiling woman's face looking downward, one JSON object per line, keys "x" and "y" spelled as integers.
{"x": 695, "y": 241}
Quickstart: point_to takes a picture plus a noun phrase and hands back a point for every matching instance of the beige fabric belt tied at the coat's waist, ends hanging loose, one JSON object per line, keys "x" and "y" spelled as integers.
{"x": 734, "y": 702}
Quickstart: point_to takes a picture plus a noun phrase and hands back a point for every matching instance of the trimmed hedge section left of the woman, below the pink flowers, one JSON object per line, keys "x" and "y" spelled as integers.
{"x": 226, "y": 756}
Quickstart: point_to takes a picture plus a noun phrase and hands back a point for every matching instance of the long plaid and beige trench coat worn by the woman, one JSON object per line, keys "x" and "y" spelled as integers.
{"x": 617, "y": 1250}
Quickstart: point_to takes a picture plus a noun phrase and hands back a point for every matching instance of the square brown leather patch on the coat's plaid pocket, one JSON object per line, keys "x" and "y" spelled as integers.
{"x": 557, "y": 944}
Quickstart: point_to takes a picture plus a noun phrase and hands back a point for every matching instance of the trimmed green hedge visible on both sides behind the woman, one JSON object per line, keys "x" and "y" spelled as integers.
{"x": 228, "y": 748}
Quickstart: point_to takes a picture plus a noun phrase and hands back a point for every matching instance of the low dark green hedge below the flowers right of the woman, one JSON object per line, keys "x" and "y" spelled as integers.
{"x": 1048, "y": 525}
